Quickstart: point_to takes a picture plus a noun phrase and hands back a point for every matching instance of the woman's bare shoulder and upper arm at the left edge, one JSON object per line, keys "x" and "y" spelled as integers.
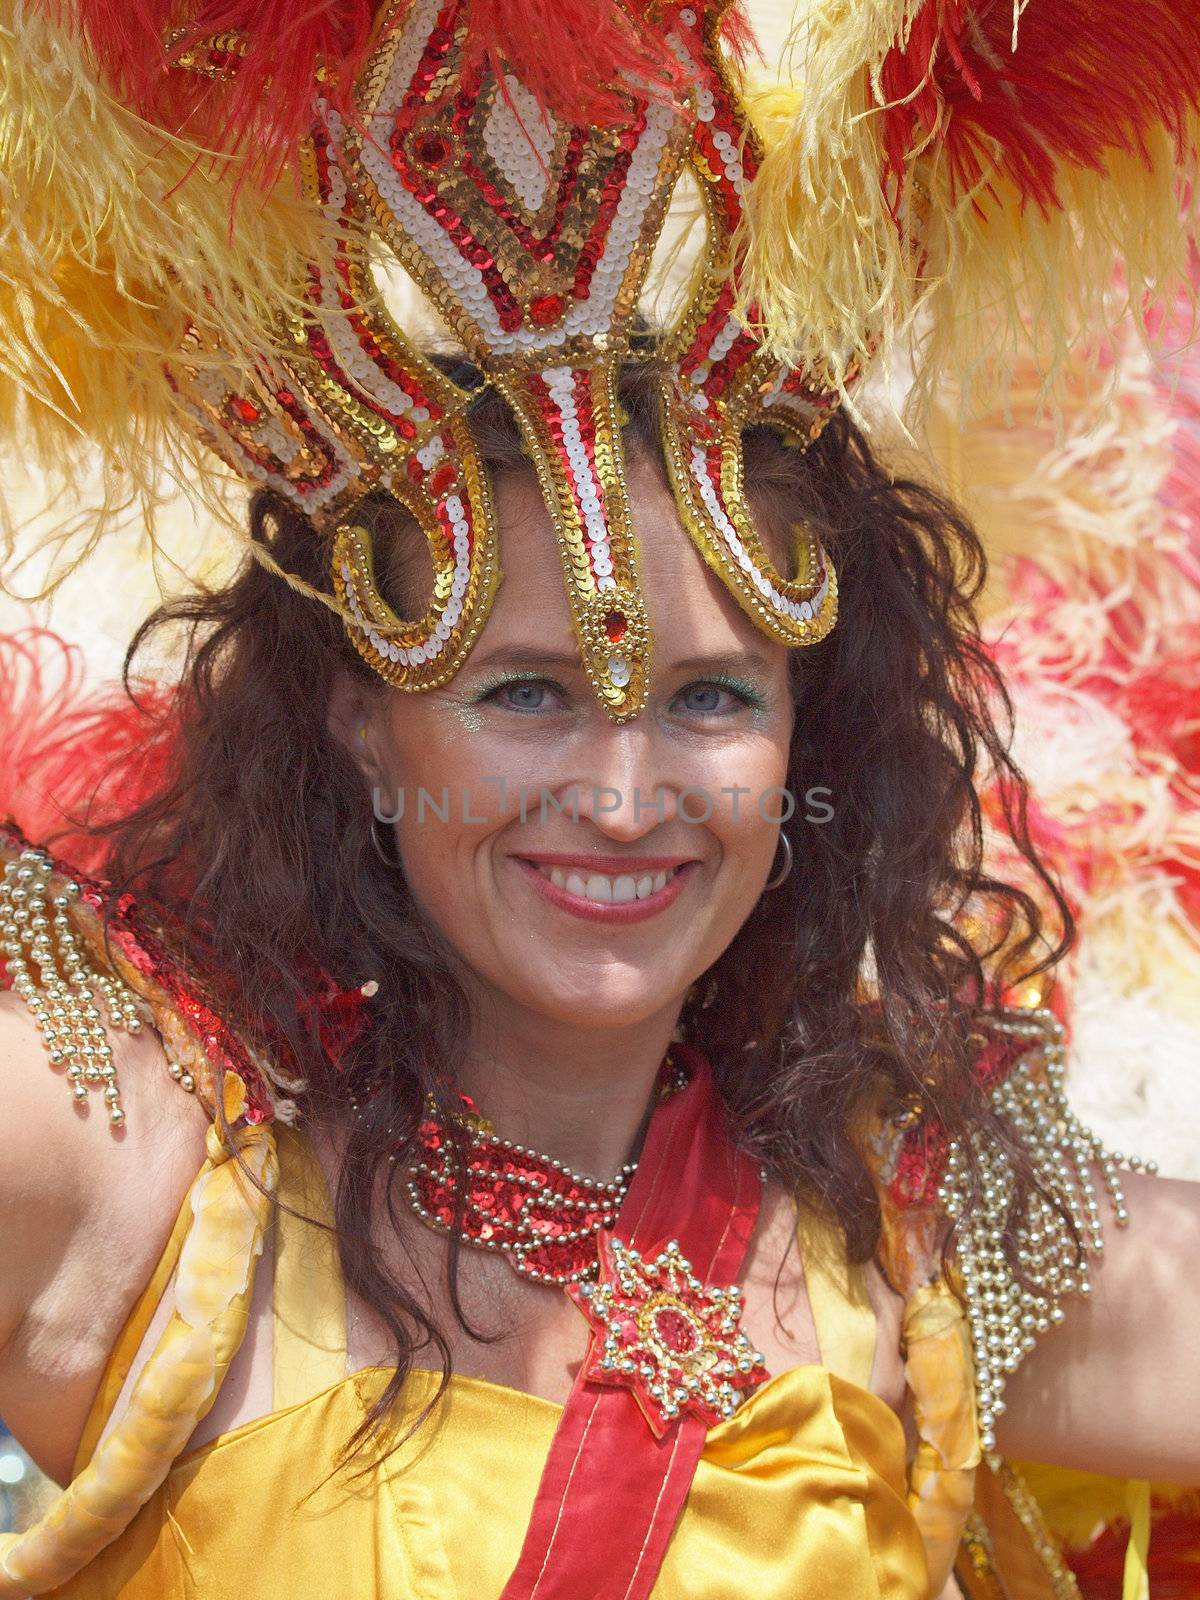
{"x": 87, "y": 1210}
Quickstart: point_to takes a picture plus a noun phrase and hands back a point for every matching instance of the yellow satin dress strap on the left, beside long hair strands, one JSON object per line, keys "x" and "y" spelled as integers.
{"x": 310, "y": 1298}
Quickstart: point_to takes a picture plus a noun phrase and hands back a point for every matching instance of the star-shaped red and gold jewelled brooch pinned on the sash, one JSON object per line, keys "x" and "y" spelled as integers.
{"x": 666, "y": 1337}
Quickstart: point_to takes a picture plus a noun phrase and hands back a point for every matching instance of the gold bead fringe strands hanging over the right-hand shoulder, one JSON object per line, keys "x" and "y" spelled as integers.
{"x": 1007, "y": 1318}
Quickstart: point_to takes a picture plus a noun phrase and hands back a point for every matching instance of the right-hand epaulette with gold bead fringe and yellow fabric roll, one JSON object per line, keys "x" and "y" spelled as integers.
{"x": 964, "y": 1342}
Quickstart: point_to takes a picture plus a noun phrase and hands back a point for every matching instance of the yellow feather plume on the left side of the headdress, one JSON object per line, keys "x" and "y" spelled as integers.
{"x": 114, "y": 238}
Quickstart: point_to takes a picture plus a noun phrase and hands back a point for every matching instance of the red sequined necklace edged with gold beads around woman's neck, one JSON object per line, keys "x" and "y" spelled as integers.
{"x": 537, "y": 1212}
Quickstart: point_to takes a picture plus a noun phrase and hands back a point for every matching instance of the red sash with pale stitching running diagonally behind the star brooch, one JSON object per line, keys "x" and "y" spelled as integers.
{"x": 612, "y": 1492}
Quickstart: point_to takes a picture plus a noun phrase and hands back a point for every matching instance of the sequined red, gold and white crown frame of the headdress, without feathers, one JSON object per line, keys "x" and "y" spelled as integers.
{"x": 534, "y": 241}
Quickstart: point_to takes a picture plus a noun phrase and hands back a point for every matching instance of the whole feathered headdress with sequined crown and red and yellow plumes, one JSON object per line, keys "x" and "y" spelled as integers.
{"x": 194, "y": 204}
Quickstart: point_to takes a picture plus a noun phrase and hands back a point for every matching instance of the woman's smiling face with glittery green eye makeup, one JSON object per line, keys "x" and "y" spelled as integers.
{"x": 553, "y": 847}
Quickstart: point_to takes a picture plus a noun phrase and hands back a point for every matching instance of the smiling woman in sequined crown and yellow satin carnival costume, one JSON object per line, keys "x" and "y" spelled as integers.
{"x": 527, "y": 870}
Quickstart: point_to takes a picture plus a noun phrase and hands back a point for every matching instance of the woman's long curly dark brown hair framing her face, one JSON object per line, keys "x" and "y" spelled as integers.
{"x": 860, "y": 966}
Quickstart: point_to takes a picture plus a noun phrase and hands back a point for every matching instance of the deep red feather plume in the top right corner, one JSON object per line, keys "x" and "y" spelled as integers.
{"x": 1087, "y": 78}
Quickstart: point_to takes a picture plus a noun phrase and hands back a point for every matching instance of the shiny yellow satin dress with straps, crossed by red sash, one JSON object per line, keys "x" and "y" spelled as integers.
{"x": 802, "y": 1494}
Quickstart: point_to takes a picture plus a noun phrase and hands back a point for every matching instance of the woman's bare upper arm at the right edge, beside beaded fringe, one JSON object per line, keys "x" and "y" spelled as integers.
{"x": 1116, "y": 1388}
